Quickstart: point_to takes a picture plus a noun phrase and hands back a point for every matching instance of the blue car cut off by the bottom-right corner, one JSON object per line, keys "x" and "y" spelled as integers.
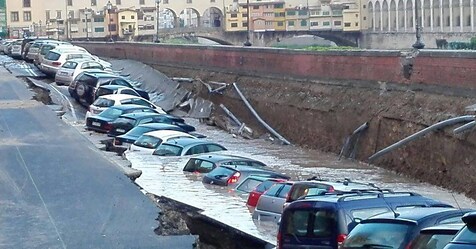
{"x": 466, "y": 237}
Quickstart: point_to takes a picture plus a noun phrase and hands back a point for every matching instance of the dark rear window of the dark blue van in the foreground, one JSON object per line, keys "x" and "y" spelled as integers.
{"x": 309, "y": 223}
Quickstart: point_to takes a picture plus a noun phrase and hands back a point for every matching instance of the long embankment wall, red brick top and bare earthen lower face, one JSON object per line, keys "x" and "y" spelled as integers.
{"x": 317, "y": 99}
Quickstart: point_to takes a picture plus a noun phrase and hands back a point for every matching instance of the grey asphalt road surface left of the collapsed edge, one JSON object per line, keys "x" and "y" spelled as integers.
{"x": 58, "y": 191}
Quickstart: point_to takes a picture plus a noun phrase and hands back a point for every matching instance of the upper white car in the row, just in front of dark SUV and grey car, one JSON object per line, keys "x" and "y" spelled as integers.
{"x": 105, "y": 101}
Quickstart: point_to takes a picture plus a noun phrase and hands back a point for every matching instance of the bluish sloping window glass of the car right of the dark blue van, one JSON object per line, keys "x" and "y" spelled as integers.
{"x": 377, "y": 235}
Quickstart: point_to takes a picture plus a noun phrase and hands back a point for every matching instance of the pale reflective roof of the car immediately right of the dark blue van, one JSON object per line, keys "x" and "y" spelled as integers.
{"x": 416, "y": 214}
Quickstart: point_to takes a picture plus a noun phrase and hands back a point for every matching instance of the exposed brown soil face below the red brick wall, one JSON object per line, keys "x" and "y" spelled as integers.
{"x": 322, "y": 114}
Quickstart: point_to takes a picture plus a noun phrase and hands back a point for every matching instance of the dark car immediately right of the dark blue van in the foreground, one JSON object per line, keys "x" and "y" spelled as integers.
{"x": 398, "y": 229}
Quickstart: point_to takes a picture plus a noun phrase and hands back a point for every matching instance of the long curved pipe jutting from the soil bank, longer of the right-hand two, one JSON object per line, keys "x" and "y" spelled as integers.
{"x": 422, "y": 133}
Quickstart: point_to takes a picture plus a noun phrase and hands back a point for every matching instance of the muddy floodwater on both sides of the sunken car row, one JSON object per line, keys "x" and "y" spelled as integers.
{"x": 164, "y": 176}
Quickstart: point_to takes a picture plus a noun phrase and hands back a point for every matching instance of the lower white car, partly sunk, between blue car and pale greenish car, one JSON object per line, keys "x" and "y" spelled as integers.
{"x": 150, "y": 141}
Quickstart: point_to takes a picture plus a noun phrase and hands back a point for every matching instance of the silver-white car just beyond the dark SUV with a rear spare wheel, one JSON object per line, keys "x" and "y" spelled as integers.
{"x": 71, "y": 68}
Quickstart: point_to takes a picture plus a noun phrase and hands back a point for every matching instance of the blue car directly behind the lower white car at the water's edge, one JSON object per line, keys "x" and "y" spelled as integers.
{"x": 131, "y": 136}
